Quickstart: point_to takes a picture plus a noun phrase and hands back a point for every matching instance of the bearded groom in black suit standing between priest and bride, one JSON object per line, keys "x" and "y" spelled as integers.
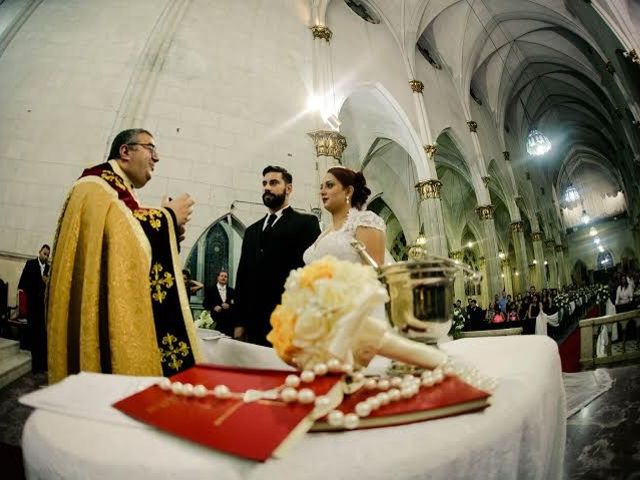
{"x": 272, "y": 247}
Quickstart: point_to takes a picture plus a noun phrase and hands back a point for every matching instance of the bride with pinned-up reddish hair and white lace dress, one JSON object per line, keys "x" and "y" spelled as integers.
{"x": 344, "y": 193}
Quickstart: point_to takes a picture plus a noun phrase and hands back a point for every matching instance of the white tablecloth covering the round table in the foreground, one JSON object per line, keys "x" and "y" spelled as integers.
{"x": 520, "y": 436}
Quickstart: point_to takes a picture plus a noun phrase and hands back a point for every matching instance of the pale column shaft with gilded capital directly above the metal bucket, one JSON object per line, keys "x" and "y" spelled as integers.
{"x": 430, "y": 212}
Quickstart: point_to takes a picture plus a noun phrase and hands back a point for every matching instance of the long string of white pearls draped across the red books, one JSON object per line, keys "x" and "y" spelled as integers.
{"x": 391, "y": 389}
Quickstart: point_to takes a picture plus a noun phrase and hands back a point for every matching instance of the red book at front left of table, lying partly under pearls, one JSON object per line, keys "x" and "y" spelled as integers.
{"x": 254, "y": 430}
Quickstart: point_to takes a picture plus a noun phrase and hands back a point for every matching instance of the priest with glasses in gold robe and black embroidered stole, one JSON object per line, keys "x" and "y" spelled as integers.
{"x": 116, "y": 301}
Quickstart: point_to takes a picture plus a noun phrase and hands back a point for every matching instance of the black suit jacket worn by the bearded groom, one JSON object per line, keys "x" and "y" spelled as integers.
{"x": 265, "y": 263}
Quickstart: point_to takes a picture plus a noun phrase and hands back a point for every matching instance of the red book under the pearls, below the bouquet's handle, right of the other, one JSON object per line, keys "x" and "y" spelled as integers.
{"x": 450, "y": 397}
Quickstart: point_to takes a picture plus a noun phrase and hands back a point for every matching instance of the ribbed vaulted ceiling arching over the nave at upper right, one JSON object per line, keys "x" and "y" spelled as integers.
{"x": 552, "y": 64}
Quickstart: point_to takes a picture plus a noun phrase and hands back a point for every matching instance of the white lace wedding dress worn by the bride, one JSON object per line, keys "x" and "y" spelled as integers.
{"x": 338, "y": 242}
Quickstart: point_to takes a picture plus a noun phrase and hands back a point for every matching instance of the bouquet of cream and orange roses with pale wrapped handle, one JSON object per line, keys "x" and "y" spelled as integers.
{"x": 325, "y": 315}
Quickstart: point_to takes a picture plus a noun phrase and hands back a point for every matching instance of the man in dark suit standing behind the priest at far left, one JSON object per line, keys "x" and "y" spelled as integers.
{"x": 33, "y": 282}
